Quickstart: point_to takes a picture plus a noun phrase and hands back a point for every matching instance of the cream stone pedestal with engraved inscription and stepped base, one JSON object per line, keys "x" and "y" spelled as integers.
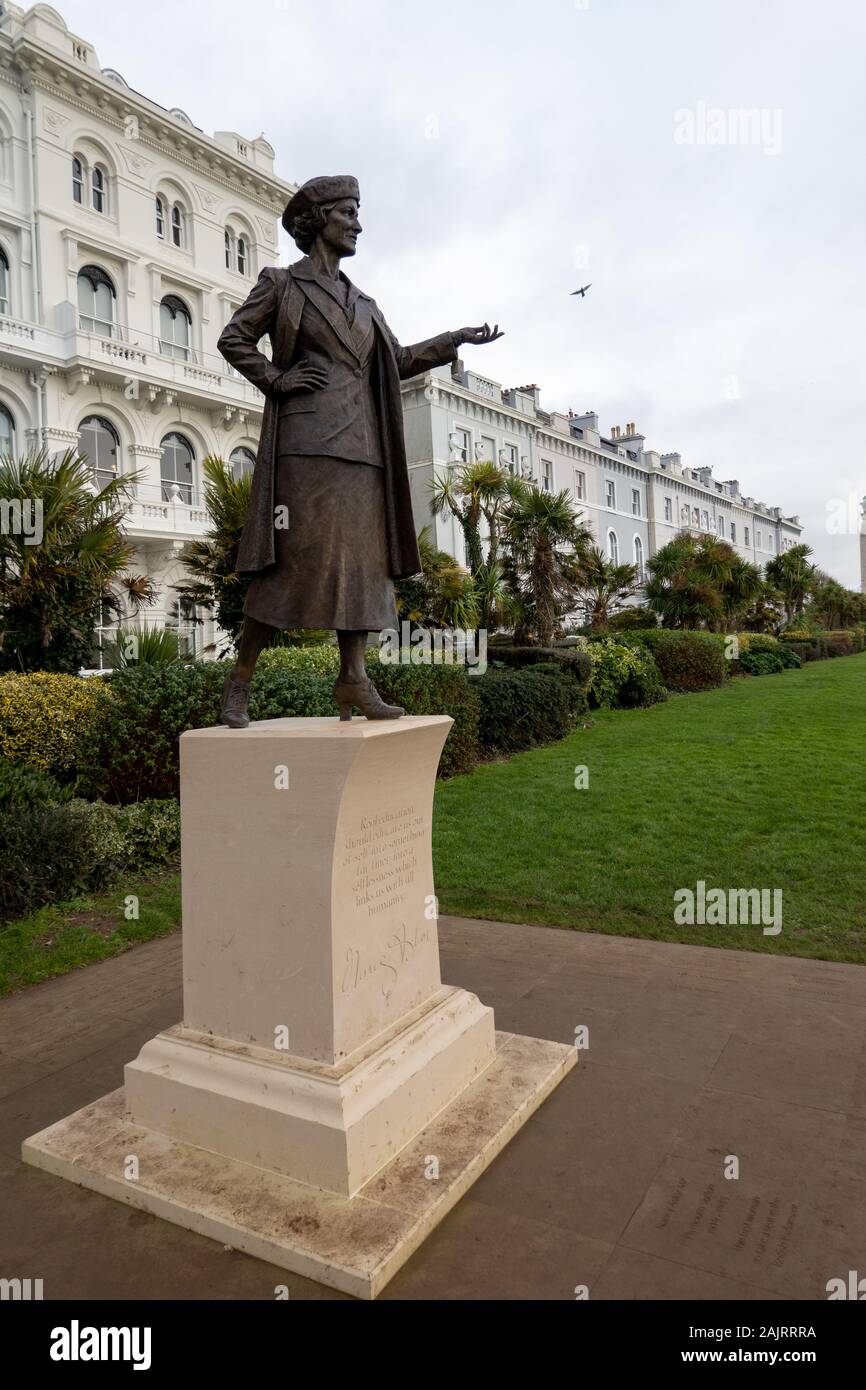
{"x": 320, "y": 1058}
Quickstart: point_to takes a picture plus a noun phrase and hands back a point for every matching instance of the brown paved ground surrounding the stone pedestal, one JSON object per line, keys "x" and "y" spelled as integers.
{"x": 618, "y": 1185}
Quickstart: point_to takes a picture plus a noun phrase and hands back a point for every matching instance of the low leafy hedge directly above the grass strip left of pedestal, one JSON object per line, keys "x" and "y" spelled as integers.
{"x": 51, "y": 851}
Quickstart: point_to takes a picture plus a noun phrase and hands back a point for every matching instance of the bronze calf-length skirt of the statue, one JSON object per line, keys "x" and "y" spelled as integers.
{"x": 332, "y": 566}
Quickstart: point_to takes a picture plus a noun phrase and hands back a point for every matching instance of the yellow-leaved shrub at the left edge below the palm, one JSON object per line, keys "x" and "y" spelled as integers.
{"x": 48, "y": 721}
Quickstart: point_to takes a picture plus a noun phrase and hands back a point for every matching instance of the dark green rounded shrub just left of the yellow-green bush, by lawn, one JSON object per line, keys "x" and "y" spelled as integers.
{"x": 526, "y": 708}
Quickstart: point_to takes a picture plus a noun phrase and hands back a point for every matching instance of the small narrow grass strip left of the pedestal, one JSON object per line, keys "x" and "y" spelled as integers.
{"x": 62, "y": 936}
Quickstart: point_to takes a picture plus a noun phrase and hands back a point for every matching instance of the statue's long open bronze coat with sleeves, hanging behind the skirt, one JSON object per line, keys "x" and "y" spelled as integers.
{"x": 275, "y": 308}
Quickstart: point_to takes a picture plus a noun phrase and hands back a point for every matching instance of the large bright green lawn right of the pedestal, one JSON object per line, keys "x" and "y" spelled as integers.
{"x": 755, "y": 786}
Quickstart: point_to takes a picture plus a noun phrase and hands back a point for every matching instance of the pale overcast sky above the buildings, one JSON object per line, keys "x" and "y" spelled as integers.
{"x": 509, "y": 152}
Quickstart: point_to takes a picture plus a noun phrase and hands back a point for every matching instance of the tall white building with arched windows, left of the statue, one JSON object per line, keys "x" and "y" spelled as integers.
{"x": 127, "y": 241}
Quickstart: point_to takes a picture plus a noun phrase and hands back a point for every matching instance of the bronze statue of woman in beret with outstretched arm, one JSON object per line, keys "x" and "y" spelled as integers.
{"x": 330, "y": 525}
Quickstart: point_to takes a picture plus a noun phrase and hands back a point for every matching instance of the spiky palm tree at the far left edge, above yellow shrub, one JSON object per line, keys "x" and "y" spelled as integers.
{"x": 56, "y": 578}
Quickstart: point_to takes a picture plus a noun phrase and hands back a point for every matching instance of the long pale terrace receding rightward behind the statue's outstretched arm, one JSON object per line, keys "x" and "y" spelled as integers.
{"x": 633, "y": 498}
